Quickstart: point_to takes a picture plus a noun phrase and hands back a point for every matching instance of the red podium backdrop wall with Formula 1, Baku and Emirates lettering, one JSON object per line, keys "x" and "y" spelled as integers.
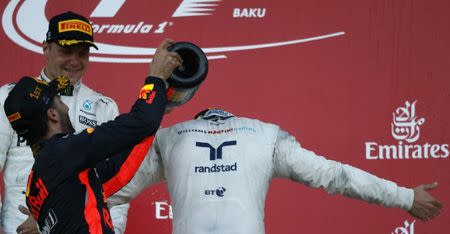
{"x": 365, "y": 82}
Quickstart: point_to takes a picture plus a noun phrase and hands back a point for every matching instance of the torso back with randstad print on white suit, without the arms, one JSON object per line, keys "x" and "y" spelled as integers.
{"x": 218, "y": 172}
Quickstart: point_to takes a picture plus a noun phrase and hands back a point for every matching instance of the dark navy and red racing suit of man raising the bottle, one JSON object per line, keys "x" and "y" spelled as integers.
{"x": 74, "y": 174}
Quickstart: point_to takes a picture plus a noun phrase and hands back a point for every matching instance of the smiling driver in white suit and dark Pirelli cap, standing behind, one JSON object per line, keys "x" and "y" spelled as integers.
{"x": 87, "y": 108}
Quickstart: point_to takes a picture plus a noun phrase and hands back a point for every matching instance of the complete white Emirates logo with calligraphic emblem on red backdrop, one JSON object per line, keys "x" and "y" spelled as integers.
{"x": 405, "y": 126}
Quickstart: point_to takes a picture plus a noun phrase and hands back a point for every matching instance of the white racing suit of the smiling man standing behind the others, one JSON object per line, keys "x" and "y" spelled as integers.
{"x": 86, "y": 109}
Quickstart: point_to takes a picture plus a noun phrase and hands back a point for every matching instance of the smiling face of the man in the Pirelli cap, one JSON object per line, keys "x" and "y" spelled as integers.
{"x": 70, "y": 61}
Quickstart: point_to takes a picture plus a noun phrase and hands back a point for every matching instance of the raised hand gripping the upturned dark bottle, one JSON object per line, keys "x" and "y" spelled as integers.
{"x": 164, "y": 61}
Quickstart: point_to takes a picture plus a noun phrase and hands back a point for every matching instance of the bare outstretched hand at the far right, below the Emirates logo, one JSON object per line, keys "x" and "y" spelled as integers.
{"x": 425, "y": 207}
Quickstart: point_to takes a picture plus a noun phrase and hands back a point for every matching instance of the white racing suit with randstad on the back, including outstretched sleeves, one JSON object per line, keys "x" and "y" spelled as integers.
{"x": 218, "y": 173}
